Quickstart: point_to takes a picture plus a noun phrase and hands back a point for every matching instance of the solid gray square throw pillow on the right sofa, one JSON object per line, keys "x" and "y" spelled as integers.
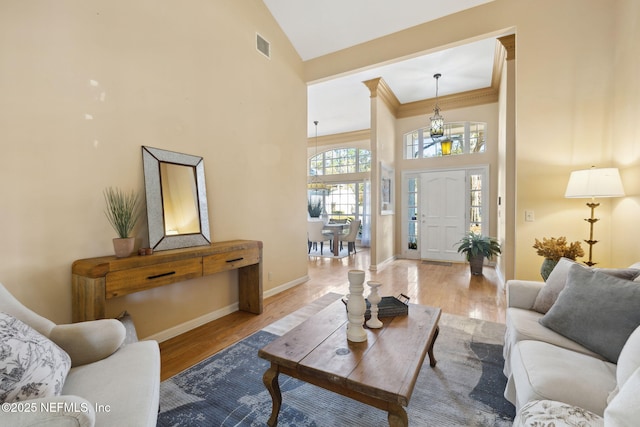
{"x": 596, "y": 310}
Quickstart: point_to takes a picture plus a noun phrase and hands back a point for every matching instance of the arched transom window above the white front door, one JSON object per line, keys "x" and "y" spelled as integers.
{"x": 459, "y": 138}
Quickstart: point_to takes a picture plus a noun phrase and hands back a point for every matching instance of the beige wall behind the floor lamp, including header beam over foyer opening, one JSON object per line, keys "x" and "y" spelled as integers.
{"x": 566, "y": 74}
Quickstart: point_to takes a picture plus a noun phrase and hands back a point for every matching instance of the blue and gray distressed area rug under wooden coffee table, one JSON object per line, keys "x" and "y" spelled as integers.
{"x": 464, "y": 389}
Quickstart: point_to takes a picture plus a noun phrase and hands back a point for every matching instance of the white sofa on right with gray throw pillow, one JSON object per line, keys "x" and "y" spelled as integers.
{"x": 583, "y": 367}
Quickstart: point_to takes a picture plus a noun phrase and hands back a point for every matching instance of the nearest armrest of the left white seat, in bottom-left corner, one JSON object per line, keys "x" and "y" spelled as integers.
{"x": 59, "y": 411}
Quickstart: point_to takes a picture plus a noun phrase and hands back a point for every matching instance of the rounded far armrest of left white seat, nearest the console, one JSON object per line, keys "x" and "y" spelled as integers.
{"x": 88, "y": 342}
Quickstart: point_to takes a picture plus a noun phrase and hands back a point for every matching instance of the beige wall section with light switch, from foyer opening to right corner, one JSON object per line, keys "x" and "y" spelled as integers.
{"x": 568, "y": 95}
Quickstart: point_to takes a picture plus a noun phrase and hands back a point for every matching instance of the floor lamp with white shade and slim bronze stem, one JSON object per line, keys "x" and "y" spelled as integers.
{"x": 592, "y": 183}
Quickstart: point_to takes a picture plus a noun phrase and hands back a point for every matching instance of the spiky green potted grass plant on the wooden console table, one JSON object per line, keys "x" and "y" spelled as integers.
{"x": 123, "y": 212}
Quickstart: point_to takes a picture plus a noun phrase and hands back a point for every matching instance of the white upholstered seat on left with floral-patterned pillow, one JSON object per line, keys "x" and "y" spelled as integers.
{"x": 99, "y": 380}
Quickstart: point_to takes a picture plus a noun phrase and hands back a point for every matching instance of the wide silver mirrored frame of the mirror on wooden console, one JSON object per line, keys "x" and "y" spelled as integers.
{"x": 152, "y": 158}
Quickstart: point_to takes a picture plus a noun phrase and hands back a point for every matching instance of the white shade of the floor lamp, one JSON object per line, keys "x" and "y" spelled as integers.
{"x": 589, "y": 183}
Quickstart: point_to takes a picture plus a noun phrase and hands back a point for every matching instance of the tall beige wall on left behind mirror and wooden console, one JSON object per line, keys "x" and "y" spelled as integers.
{"x": 85, "y": 84}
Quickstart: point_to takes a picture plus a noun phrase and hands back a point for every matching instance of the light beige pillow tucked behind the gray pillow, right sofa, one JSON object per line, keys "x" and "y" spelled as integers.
{"x": 558, "y": 278}
